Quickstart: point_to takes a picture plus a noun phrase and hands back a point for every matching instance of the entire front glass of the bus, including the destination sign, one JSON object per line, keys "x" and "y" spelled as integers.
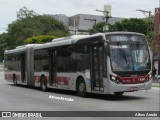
{"x": 129, "y": 54}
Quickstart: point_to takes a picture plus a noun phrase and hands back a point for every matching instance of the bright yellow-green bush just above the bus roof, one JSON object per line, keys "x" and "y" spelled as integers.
{"x": 39, "y": 39}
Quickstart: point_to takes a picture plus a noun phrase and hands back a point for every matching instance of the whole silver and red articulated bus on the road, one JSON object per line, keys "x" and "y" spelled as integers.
{"x": 103, "y": 63}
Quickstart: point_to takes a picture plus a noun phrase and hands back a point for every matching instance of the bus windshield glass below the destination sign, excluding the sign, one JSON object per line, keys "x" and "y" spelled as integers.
{"x": 129, "y": 57}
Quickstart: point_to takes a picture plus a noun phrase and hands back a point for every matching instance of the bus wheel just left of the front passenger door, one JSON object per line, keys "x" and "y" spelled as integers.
{"x": 81, "y": 88}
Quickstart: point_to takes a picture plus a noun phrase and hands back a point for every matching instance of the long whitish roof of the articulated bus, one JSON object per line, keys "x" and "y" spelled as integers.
{"x": 68, "y": 41}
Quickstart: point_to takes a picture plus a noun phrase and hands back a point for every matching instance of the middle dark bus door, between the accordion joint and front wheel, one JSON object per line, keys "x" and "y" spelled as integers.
{"x": 52, "y": 68}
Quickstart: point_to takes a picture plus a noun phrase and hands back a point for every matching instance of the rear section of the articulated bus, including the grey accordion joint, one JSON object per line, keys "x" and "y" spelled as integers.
{"x": 18, "y": 65}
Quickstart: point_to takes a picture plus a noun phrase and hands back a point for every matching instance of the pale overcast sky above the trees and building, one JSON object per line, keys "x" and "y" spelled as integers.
{"x": 120, "y": 8}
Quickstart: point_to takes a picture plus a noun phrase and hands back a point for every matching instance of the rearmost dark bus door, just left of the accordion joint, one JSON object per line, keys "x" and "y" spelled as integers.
{"x": 23, "y": 68}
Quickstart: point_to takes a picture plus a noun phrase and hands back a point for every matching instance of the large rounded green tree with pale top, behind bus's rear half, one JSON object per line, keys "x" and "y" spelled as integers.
{"x": 29, "y": 24}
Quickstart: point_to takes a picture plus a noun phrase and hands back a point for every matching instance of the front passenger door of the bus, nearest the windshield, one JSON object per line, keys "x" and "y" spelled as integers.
{"x": 97, "y": 67}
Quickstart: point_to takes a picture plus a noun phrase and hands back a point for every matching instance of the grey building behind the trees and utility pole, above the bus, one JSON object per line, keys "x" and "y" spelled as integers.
{"x": 78, "y": 24}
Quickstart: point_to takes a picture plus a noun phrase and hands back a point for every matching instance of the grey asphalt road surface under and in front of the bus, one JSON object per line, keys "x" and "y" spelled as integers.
{"x": 22, "y": 98}
